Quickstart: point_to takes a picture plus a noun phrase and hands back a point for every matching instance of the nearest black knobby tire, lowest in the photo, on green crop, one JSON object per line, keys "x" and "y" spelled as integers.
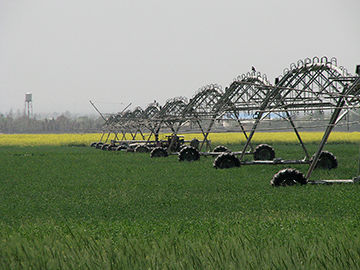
{"x": 288, "y": 177}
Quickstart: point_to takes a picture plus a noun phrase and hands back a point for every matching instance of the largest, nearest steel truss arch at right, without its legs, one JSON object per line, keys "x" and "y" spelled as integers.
{"x": 309, "y": 84}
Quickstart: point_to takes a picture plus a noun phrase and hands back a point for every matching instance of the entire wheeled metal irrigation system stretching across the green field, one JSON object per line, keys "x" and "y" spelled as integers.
{"x": 312, "y": 93}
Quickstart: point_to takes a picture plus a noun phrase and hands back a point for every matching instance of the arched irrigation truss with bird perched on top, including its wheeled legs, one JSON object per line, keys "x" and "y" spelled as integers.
{"x": 237, "y": 104}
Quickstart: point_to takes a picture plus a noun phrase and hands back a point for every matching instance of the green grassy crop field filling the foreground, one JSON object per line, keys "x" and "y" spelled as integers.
{"x": 82, "y": 208}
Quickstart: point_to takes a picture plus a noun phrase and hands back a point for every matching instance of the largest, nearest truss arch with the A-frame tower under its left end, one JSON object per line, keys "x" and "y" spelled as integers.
{"x": 311, "y": 85}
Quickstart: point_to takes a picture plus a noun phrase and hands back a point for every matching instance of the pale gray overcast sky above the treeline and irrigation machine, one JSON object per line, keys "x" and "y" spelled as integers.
{"x": 118, "y": 51}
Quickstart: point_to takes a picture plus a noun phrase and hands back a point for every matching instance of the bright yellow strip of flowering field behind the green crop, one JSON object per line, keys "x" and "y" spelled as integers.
{"x": 216, "y": 138}
